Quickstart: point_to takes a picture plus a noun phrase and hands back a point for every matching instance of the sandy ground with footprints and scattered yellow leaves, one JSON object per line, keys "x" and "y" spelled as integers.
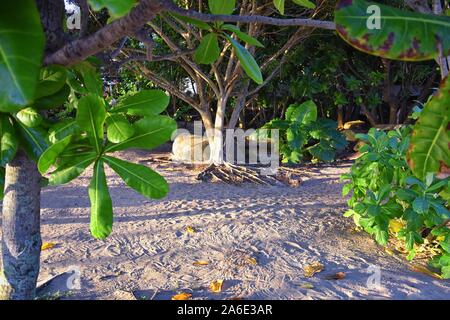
{"x": 284, "y": 229}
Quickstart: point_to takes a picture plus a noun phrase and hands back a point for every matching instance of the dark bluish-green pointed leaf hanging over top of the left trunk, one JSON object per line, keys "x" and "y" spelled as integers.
{"x": 34, "y": 140}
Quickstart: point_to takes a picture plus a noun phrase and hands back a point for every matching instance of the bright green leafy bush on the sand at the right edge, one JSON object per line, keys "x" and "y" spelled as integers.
{"x": 387, "y": 200}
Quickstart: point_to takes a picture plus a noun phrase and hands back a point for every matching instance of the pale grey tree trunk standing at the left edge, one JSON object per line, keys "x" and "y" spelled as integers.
{"x": 21, "y": 237}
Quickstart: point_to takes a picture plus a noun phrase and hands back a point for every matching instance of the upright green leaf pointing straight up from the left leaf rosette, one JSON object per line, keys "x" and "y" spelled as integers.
{"x": 91, "y": 117}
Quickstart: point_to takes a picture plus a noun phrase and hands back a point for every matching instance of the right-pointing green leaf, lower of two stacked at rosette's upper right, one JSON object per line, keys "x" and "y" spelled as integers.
{"x": 150, "y": 133}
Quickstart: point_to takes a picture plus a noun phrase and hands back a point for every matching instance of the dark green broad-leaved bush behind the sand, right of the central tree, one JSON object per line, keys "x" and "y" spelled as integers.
{"x": 302, "y": 133}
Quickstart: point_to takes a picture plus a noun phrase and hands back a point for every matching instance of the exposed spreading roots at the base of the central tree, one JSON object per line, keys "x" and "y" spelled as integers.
{"x": 234, "y": 174}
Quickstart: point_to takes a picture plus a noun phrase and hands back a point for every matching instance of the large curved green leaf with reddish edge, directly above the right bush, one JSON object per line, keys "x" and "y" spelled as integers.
{"x": 430, "y": 142}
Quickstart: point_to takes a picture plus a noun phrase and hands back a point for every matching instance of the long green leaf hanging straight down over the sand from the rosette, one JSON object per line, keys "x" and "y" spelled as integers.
{"x": 101, "y": 204}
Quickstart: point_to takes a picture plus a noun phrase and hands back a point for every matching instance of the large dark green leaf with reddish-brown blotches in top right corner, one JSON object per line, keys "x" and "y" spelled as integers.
{"x": 402, "y": 35}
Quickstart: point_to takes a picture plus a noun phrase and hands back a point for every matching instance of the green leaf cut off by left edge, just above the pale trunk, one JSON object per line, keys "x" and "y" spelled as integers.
{"x": 8, "y": 140}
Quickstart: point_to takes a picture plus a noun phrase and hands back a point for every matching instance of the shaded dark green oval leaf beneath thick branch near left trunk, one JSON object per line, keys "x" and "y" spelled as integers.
{"x": 53, "y": 78}
